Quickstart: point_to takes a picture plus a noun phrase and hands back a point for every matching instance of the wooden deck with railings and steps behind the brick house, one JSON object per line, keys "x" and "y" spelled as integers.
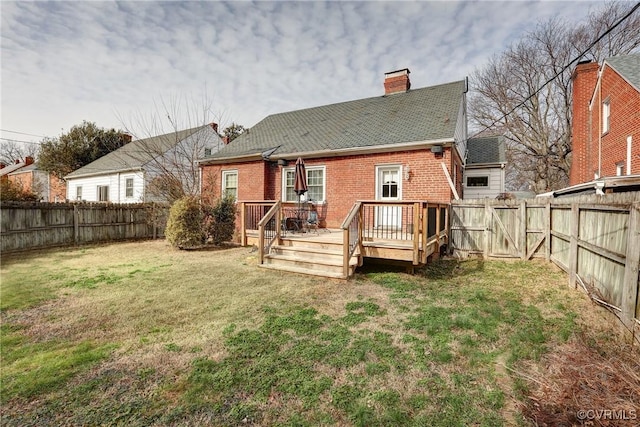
{"x": 410, "y": 233}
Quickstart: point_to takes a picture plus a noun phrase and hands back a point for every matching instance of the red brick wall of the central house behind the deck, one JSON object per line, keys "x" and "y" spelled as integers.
{"x": 348, "y": 179}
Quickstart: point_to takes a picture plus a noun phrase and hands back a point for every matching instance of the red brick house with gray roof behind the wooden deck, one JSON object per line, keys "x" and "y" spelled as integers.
{"x": 393, "y": 147}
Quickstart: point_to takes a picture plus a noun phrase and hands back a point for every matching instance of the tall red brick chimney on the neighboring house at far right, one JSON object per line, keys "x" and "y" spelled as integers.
{"x": 584, "y": 150}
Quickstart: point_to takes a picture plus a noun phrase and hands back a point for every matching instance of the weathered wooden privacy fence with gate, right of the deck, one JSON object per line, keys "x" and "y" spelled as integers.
{"x": 595, "y": 240}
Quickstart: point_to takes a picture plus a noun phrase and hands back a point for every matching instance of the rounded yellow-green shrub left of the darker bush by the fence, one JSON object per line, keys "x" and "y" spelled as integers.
{"x": 185, "y": 223}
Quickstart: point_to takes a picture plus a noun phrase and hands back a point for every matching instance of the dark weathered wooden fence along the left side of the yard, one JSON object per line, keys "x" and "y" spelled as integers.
{"x": 31, "y": 225}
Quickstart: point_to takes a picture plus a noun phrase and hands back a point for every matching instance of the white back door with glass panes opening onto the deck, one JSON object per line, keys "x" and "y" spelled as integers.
{"x": 389, "y": 188}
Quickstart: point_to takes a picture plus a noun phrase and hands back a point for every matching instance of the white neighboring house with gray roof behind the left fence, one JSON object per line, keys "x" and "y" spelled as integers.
{"x": 124, "y": 175}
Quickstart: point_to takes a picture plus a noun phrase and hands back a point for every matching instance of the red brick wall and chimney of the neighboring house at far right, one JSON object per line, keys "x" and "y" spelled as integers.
{"x": 587, "y": 136}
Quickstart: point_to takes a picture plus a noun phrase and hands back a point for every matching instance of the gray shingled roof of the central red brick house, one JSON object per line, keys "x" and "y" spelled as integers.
{"x": 425, "y": 114}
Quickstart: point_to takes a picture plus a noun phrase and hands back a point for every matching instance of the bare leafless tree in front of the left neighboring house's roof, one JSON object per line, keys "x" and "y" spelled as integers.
{"x": 170, "y": 141}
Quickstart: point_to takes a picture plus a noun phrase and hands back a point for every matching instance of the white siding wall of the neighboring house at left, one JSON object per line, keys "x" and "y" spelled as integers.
{"x": 116, "y": 183}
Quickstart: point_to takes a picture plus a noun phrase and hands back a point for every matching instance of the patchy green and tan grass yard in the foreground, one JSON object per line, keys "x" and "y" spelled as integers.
{"x": 140, "y": 334}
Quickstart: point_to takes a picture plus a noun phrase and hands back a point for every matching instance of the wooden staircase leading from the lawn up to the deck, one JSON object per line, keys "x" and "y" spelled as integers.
{"x": 317, "y": 256}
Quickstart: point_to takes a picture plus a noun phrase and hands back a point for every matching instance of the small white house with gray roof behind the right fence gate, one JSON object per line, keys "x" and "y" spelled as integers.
{"x": 484, "y": 171}
